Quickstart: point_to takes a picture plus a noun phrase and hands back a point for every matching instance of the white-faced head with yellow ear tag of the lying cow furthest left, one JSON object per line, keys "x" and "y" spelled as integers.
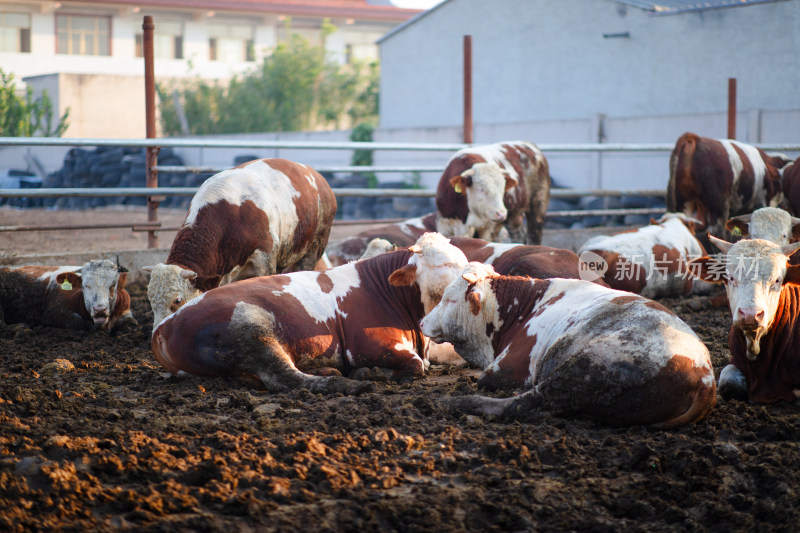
{"x": 100, "y": 281}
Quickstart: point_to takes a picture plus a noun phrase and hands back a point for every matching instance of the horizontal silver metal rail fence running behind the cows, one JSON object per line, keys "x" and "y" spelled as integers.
{"x": 156, "y": 194}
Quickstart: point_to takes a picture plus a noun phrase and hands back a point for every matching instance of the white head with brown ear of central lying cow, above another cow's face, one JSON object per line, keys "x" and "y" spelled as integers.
{"x": 433, "y": 266}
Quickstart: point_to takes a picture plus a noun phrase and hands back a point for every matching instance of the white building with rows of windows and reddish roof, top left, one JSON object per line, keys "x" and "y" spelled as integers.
{"x": 88, "y": 53}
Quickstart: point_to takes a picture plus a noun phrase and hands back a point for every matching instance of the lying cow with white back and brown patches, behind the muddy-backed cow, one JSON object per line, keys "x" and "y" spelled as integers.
{"x": 650, "y": 261}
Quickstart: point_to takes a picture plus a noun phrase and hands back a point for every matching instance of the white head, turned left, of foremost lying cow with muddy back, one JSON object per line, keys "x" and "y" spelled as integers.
{"x": 468, "y": 305}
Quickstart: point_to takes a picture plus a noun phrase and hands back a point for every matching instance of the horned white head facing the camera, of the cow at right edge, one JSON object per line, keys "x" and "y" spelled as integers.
{"x": 754, "y": 272}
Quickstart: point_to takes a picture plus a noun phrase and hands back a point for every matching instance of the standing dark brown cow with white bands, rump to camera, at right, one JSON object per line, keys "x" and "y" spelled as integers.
{"x": 714, "y": 179}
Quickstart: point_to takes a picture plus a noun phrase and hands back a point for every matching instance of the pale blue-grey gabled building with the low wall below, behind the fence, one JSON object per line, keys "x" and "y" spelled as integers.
{"x": 596, "y": 71}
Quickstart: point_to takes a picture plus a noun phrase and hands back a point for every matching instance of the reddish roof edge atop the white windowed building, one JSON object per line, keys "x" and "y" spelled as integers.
{"x": 359, "y": 9}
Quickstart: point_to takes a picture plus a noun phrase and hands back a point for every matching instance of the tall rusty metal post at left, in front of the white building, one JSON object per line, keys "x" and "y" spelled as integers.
{"x": 150, "y": 114}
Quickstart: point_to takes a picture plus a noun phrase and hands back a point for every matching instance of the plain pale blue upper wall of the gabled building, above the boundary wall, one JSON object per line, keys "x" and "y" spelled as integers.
{"x": 536, "y": 60}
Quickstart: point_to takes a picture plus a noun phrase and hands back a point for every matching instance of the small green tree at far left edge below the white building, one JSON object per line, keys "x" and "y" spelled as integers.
{"x": 26, "y": 116}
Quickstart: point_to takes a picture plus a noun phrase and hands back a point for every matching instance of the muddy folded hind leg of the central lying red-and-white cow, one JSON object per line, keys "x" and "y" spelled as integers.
{"x": 274, "y": 366}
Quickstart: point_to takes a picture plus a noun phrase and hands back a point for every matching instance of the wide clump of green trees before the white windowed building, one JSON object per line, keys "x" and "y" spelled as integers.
{"x": 296, "y": 87}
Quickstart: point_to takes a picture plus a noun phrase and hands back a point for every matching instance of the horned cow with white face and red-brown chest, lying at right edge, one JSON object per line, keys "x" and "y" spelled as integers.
{"x": 763, "y": 289}
